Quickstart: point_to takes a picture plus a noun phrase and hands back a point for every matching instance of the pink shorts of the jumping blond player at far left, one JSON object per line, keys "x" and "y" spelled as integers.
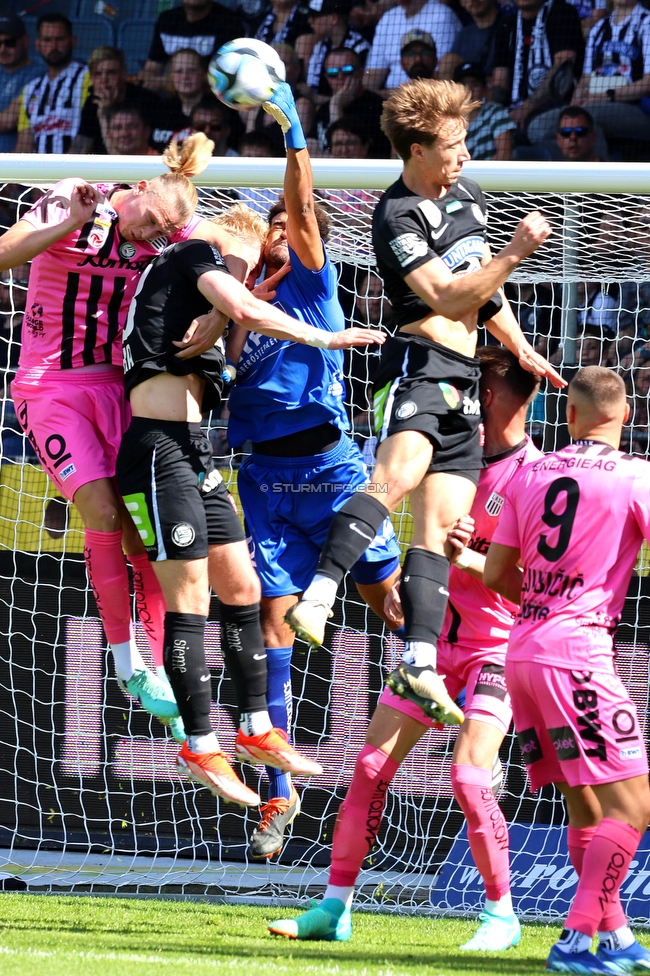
{"x": 75, "y": 423}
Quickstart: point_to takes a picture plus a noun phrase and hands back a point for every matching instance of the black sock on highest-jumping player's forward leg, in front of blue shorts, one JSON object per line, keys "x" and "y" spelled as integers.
{"x": 352, "y": 530}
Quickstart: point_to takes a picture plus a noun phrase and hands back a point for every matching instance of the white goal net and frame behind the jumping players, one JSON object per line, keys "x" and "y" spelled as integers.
{"x": 89, "y": 796}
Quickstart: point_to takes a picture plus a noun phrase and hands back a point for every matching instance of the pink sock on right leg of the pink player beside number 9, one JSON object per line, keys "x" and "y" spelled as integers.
{"x": 487, "y": 830}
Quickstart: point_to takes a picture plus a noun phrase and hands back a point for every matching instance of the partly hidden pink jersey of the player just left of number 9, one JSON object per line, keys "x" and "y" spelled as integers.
{"x": 478, "y": 619}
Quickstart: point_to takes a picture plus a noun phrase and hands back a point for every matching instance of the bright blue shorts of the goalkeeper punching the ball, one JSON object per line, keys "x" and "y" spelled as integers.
{"x": 288, "y": 507}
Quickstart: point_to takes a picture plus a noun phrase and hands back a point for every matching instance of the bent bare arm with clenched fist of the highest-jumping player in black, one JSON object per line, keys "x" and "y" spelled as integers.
{"x": 456, "y": 297}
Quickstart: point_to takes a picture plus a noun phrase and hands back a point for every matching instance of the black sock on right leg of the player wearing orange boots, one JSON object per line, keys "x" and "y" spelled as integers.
{"x": 244, "y": 654}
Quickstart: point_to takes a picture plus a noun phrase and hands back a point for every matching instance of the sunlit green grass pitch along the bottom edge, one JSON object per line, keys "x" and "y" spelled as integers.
{"x": 79, "y": 936}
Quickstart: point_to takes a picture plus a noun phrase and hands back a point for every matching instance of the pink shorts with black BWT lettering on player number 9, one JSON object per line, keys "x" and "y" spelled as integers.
{"x": 575, "y": 727}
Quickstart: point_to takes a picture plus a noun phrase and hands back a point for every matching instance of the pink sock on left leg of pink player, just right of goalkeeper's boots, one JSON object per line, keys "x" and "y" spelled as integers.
{"x": 360, "y": 814}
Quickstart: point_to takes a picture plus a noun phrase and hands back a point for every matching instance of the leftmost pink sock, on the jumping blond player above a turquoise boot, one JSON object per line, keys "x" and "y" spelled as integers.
{"x": 109, "y": 579}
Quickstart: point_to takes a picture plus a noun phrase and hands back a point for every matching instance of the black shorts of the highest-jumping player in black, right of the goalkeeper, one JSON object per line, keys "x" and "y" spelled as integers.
{"x": 421, "y": 385}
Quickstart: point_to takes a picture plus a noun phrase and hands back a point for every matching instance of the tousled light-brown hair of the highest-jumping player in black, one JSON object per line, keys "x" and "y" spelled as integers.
{"x": 415, "y": 112}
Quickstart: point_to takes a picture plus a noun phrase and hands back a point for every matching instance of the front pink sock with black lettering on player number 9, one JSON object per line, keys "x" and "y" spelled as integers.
{"x": 606, "y": 861}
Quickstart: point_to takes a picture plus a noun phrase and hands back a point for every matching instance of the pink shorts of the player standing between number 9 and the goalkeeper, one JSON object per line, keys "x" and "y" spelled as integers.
{"x": 486, "y": 697}
